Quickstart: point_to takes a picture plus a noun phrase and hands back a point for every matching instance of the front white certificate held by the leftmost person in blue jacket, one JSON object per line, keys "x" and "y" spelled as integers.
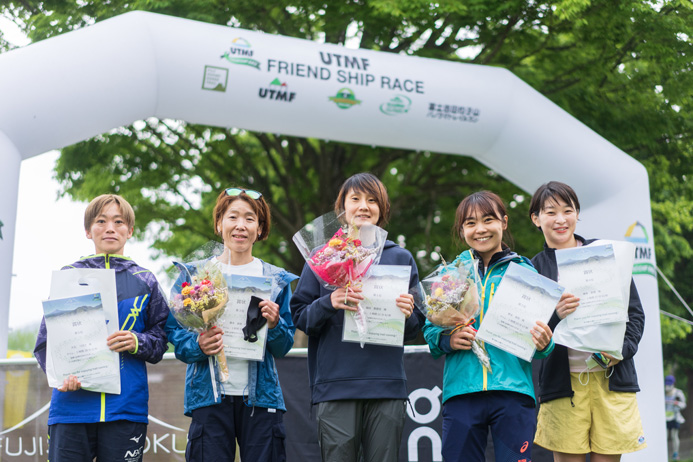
{"x": 77, "y": 329}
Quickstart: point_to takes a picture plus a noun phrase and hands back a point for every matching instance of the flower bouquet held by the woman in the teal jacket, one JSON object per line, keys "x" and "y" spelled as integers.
{"x": 452, "y": 300}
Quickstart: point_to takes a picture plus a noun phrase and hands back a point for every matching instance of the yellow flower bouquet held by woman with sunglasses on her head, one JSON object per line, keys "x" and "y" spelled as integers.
{"x": 198, "y": 300}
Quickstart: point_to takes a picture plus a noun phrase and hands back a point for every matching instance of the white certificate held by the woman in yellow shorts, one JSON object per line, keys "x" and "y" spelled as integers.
{"x": 590, "y": 273}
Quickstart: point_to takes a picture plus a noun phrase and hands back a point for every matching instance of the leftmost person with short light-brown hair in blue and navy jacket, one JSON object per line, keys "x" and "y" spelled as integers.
{"x": 83, "y": 424}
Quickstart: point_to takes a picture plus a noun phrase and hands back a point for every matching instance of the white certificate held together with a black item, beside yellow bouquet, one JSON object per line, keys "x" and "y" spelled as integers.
{"x": 241, "y": 288}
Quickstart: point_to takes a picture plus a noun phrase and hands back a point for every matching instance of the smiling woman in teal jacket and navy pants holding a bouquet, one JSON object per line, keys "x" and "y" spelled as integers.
{"x": 474, "y": 398}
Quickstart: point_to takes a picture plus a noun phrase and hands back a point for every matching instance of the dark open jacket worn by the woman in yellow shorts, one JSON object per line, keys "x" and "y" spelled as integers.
{"x": 554, "y": 371}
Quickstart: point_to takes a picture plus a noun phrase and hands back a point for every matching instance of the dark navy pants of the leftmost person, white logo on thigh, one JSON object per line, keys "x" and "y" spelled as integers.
{"x": 118, "y": 441}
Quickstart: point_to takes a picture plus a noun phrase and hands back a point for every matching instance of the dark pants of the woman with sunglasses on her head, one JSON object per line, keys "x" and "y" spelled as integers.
{"x": 214, "y": 430}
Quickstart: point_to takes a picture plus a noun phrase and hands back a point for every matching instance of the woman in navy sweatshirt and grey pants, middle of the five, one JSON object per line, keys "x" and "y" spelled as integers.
{"x": 360, "y": 392}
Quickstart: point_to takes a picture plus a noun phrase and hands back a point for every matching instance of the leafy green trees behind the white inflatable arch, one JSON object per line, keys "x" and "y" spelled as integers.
{"x": 622, "y": 68}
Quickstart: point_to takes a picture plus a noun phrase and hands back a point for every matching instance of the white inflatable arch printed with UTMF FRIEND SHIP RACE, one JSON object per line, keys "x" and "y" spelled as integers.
{"x": 72, "y": 87}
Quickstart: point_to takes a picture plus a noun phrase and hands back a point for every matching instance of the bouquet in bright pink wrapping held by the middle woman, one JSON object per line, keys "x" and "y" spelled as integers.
{"x": 340, "y": 254}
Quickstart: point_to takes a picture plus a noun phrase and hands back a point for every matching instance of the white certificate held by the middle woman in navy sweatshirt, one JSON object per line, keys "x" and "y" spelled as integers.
{"x": 384, "y": 319}
